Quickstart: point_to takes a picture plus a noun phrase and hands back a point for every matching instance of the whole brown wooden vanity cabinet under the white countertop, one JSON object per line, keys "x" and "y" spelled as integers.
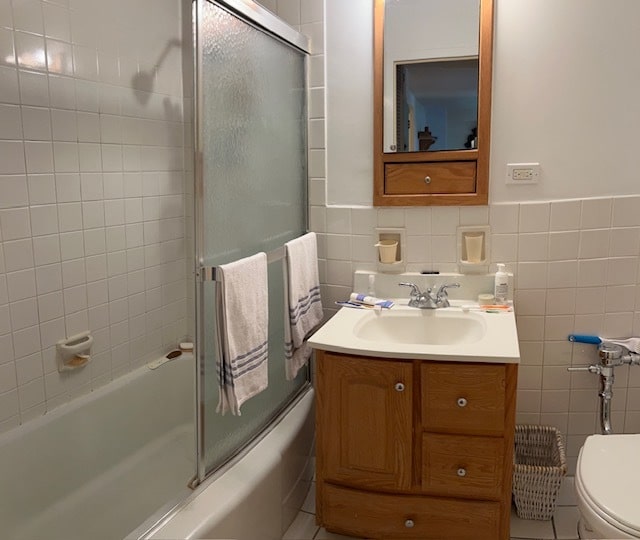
{"x": 414, "y": 448}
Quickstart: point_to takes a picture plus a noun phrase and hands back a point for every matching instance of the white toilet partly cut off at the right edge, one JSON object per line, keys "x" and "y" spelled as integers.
{"x": 608, "y": 487}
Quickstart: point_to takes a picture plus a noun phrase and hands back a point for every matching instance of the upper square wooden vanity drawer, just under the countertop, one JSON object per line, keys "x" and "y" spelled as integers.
{"x": 463, "y": 397}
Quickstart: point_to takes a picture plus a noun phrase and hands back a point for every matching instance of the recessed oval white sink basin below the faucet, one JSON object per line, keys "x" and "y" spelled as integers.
{"x": 422, "y": 327}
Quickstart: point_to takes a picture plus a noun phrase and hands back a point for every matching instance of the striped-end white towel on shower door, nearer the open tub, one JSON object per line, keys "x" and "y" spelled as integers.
{"x": 243, "y": 321}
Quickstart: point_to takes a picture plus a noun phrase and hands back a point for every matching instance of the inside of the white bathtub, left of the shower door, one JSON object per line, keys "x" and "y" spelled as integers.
{"x": 98, "y": 466}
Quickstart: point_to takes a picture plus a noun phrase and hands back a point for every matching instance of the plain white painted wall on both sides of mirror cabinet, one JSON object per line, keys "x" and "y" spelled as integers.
{"x": 564, "y": 95}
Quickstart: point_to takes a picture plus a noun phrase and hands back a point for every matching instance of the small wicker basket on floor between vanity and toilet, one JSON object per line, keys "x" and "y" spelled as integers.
{"x": 539, "y": 465}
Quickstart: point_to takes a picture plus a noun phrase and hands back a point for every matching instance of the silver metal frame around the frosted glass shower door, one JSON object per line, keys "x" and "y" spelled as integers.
{"x": 264, "y": 21}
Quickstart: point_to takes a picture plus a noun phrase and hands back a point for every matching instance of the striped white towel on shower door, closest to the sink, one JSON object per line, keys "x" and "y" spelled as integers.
{"x": 303, "y": 305}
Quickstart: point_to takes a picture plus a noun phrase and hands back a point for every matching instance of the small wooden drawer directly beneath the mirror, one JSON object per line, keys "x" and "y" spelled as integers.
{"x": 444, "y": 177}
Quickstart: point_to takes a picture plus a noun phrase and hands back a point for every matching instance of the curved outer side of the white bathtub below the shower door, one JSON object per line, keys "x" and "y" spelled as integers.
{"x": 259, "y": 495}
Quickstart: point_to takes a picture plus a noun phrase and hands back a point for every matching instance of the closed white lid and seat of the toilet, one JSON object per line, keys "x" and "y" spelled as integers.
{"x": 609, "y": 469}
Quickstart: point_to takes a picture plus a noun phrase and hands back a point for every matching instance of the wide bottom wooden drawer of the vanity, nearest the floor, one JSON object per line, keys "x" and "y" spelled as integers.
{"x": 379, "y": 515}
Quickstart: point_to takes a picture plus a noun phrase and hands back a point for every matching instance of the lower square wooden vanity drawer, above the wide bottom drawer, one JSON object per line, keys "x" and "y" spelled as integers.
{"x": 464, "y": 465}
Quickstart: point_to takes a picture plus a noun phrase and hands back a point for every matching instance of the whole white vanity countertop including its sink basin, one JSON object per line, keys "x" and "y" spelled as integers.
{"x": 449, "y": 334}
